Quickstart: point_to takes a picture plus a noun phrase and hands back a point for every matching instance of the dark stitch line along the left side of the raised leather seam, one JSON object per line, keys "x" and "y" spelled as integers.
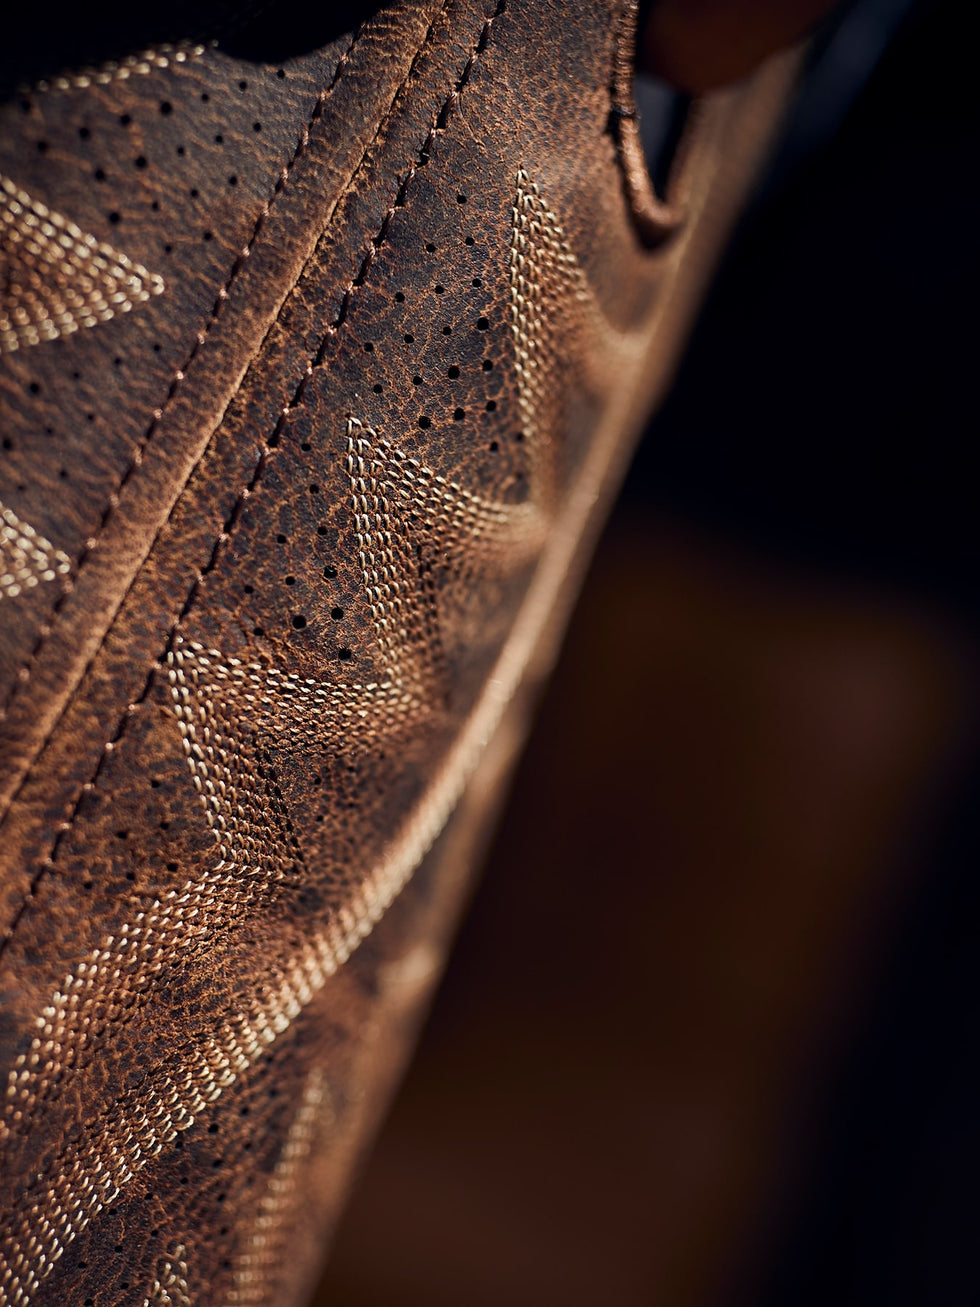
{"x": 23, "y": 678}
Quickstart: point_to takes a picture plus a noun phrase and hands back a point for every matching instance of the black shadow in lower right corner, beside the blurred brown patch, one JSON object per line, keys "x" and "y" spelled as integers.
{"x": 889, "y": 1210}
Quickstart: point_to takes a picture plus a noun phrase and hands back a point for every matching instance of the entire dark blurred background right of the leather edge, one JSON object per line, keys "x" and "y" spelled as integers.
{"x": 709, "y": 1036}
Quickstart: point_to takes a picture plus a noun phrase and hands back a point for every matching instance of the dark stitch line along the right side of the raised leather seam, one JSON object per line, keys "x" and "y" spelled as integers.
{"x": 440, "y": 124}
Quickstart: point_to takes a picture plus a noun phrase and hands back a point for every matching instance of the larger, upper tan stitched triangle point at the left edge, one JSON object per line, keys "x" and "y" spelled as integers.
{"x": 57, "y": 278}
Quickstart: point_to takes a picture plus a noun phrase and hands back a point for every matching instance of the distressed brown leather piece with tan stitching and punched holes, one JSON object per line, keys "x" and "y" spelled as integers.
{"x": 317, "y": 378}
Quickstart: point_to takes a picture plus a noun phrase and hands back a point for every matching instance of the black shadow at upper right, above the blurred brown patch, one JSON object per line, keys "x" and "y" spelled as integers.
{"x": 825, "y": 407}
